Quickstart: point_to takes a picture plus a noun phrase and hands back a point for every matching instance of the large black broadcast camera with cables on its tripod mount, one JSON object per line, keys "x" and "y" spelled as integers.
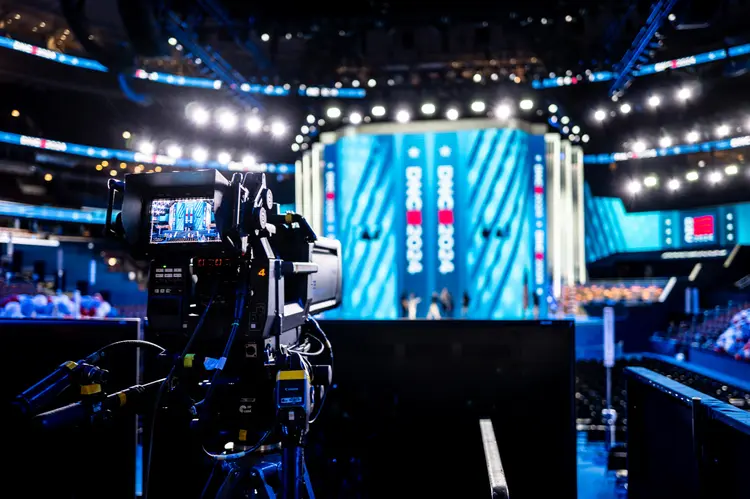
{"x": 232, "y": 288}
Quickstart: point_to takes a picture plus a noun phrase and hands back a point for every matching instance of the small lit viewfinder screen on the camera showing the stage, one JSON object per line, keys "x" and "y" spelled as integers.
{"x": 188, "y": 220}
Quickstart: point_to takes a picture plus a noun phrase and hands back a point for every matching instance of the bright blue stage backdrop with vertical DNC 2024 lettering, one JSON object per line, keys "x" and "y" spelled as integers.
{"x": 420, "y": 212}
